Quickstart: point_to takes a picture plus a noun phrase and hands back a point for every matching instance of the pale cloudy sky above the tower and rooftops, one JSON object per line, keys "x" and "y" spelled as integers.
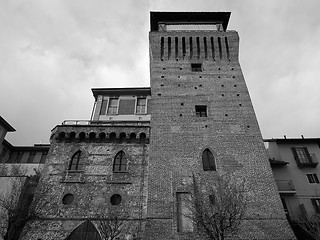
{"x": 53, "y": 52}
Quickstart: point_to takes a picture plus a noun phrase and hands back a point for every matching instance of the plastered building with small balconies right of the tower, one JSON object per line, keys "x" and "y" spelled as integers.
{"x": 294, "y": 163}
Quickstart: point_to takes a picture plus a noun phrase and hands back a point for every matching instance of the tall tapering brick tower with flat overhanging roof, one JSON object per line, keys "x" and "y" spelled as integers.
{"x": 200, "y": 102}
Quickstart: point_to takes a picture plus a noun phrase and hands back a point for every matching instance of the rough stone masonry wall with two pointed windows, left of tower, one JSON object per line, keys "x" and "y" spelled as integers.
{"x": 93, "y": 187}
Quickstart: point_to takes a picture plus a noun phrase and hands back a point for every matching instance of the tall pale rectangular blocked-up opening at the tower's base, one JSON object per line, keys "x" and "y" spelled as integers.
{"x": 184, "y": 212}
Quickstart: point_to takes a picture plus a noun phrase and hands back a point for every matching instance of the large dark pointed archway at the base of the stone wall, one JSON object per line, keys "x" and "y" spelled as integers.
{"x": 85, "y": 231}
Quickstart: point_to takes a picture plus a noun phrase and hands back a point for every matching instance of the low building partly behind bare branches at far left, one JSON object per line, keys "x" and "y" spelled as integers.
{"x": 19, "y": 171}
